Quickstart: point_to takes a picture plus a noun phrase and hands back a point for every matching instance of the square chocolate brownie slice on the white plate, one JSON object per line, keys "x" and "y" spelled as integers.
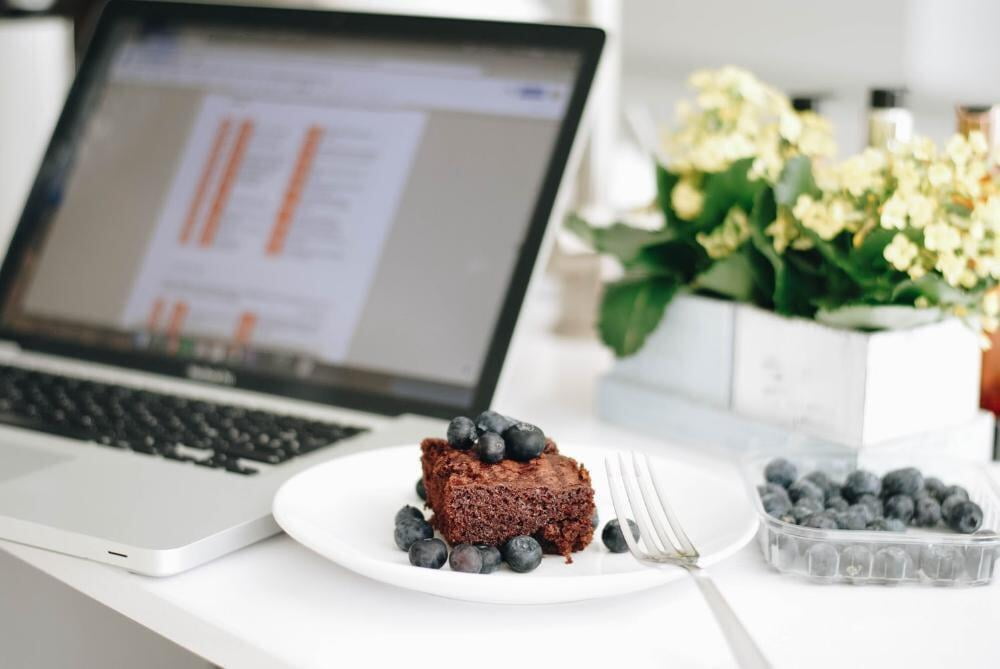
{"x": 549, "y": 498}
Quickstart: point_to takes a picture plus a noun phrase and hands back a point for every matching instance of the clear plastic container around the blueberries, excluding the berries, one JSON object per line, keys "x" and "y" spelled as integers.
{"x": 936, "y": 556}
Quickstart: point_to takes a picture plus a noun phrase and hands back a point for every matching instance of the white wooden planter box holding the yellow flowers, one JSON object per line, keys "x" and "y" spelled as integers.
{"x": 839, "y": 386}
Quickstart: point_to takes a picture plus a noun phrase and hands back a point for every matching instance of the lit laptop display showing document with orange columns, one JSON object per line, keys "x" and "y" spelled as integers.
{"x": 343, "y": 211}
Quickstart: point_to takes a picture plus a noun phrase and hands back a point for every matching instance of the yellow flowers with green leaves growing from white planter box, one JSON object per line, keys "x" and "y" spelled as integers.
{"x": 755, "y": 209}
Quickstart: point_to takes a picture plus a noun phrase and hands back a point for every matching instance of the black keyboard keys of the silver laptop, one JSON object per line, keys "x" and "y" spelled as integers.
{"x": 207, "y": 434}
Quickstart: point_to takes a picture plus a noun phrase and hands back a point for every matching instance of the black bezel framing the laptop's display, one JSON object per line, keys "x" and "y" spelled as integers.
{"x": 587, "y": 41}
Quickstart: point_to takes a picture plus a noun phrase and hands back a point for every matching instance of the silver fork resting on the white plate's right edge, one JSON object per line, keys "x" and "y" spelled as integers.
{"x": 666, "y": 543}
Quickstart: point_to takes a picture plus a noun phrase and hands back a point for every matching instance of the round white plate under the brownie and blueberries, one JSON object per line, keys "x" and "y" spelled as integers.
{"x": 344, "y": 509}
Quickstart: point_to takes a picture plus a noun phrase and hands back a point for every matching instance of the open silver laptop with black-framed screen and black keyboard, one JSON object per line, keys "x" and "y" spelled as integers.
{"x": 261, "y": 238}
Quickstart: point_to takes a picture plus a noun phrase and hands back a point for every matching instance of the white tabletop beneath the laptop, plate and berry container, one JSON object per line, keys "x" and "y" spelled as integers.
{"x": 277, "y": 604}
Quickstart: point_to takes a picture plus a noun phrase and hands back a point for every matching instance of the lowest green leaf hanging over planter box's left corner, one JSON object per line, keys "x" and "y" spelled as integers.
{"x": 632, "y": 308}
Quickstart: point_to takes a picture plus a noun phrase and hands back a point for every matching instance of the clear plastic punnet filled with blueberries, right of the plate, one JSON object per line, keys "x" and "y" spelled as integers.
{"x": 960, "y": 549}
